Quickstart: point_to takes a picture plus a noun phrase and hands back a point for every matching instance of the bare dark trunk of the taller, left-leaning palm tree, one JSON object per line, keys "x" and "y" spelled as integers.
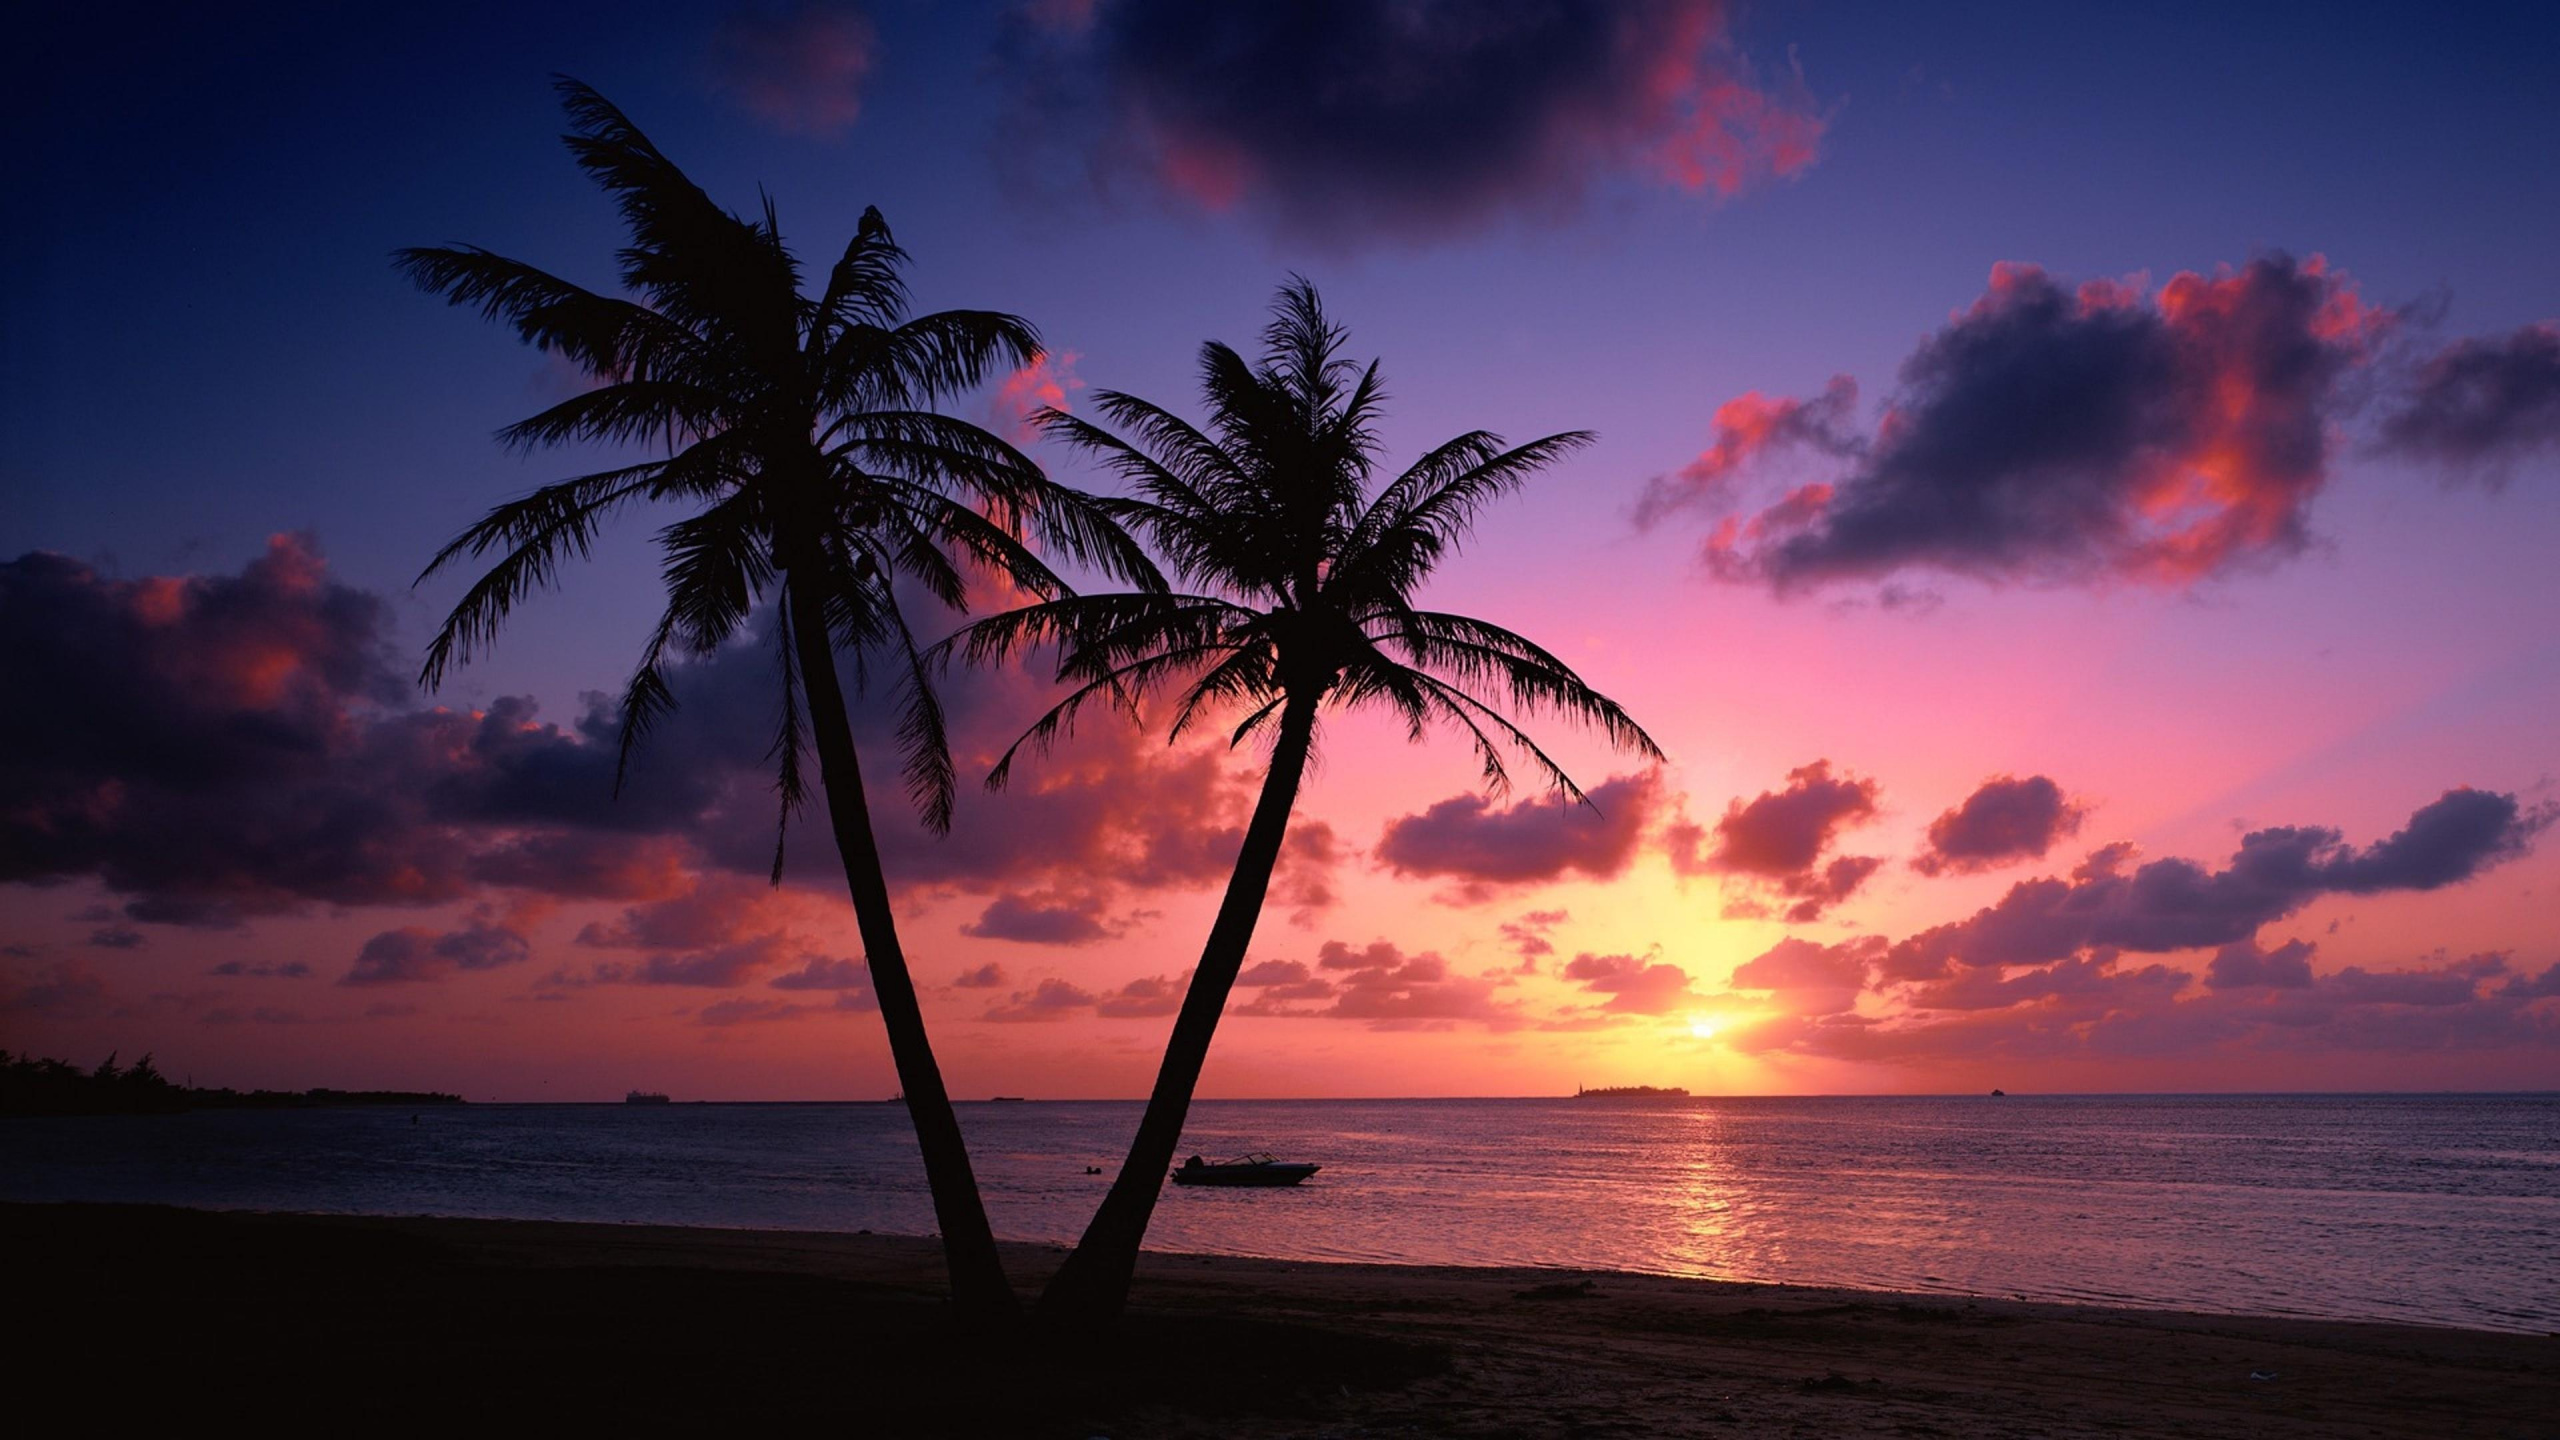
{"x": 969, "y": 1244}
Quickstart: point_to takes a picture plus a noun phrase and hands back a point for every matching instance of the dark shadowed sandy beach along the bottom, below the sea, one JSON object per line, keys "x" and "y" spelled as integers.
{"x": 321, "y": 1323}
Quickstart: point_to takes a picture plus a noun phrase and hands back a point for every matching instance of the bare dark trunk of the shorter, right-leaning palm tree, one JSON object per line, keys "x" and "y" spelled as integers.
{"x": 1094, "y": 1285}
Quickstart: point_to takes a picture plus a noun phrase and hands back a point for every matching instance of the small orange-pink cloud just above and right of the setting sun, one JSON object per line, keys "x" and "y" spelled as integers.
{"x": 1778, "y": 842}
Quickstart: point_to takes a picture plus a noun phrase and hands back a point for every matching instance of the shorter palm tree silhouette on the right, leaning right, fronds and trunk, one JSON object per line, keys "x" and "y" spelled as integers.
{"x": 1302, "y": 598}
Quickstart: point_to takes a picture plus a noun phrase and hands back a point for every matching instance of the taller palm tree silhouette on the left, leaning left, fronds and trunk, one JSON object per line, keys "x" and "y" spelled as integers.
{"x": 803, "y": 439}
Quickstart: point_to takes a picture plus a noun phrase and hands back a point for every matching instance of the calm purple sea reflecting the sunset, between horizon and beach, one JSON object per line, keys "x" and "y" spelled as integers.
{"x": 2372, "y": 1208}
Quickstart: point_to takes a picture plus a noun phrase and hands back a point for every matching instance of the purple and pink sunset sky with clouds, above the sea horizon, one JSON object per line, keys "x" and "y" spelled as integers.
{"x": 2075, "y": 503}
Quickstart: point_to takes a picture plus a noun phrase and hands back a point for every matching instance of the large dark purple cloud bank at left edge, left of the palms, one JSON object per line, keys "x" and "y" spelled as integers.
{"x": 229, "y": 747}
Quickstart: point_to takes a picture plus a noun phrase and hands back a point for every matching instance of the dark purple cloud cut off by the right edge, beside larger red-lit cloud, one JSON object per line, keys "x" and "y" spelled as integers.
{"x": 2482, "y": 406}
